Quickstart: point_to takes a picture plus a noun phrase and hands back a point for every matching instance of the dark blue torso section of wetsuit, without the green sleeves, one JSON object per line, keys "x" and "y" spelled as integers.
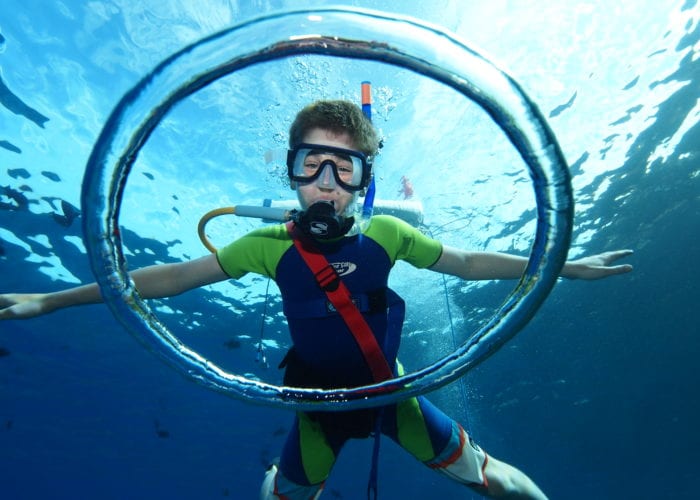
{"x": 322, "y": 341}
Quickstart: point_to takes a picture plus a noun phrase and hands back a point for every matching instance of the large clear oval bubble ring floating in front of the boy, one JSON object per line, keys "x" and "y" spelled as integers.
{"x": 358, "y": 34}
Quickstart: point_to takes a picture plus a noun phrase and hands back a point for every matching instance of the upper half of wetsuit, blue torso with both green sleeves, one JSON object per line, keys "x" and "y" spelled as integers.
{"x": 321, "y": 339}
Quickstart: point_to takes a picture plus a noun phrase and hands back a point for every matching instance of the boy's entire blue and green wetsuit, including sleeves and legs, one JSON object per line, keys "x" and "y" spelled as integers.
{"x": 325, "y": 353}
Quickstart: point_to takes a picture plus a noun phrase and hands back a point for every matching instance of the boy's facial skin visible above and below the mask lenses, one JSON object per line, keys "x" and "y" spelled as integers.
{"x": 325, "y": 188}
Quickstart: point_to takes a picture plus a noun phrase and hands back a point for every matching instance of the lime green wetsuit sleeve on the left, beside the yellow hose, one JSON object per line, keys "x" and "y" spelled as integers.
{"x": 257, "y": 252}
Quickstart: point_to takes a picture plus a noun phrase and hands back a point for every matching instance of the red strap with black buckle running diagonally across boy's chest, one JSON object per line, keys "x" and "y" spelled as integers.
{"x": 340, "y": 297}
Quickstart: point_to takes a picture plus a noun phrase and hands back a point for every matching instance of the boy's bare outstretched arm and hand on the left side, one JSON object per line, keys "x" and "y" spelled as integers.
{"x": 163, "y": 280}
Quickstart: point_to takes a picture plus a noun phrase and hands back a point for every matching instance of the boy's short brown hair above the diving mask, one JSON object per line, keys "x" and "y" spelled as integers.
{"x": 337, "y": 116}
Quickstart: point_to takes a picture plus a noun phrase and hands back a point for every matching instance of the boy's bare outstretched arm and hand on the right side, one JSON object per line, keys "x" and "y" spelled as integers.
{"x": 497, "y": 266}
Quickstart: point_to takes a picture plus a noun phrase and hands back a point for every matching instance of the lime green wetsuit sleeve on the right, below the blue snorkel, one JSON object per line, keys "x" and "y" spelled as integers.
{"x": 404, "y": 242}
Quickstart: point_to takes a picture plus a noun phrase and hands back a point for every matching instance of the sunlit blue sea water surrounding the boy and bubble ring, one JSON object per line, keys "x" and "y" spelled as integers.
{"x": 595, "y": 398}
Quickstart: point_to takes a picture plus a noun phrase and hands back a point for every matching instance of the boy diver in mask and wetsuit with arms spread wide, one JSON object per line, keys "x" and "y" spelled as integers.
{"x": 332, "y": 145}
